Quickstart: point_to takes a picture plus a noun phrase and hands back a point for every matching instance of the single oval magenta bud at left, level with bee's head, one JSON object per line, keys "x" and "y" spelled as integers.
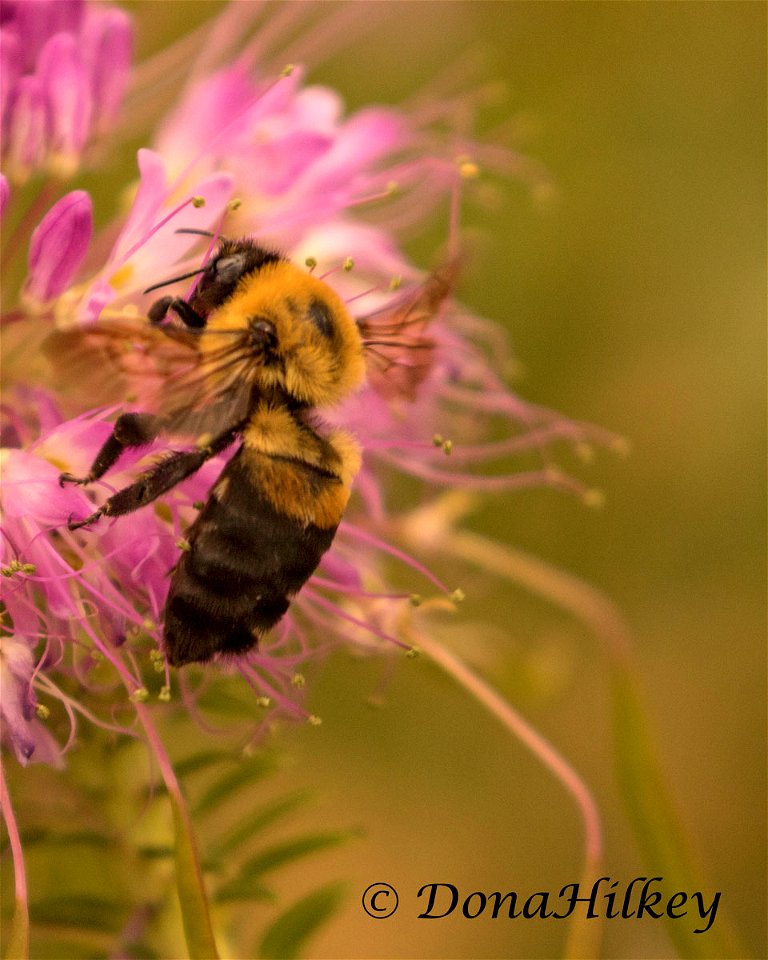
{"x": 58, "y": 246}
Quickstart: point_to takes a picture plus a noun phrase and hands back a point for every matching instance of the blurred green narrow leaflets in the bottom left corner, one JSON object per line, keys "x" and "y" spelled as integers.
{"x": 105, "y": 856}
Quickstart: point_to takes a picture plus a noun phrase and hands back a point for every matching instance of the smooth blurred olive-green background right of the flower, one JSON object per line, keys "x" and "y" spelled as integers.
{"x": 635, "y": 300}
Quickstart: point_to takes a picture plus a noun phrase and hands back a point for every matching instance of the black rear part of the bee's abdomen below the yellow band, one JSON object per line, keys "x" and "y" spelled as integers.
{"x": 246, "y": 559}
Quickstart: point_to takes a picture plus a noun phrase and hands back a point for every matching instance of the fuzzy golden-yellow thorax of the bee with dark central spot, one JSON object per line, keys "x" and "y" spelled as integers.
{"x": 313, "y": 367}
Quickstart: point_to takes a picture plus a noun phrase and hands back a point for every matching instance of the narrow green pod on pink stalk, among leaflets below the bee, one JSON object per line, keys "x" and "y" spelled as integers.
{"x": 191, "y": 890}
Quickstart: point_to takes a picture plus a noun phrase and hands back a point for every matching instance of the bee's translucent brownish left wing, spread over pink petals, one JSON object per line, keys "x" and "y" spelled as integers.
{"x": 157, "y": 369}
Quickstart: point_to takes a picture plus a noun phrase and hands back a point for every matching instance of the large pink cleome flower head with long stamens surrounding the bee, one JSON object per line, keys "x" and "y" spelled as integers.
{"x": 240, "y": 154}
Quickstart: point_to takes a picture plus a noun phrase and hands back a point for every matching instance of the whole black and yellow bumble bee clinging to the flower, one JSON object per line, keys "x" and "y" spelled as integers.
{"x": 267, "y": 343}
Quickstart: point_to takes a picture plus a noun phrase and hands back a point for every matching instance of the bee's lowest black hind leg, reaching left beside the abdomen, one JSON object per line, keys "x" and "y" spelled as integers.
{"x": 148, "y": 486}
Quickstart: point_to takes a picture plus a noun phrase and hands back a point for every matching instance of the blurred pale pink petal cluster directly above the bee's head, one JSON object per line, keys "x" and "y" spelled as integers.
{"x": 297, "y": 162}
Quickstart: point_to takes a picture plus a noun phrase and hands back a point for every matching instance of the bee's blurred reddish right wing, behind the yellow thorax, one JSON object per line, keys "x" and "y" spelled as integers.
{"x": 398, "y": 347}
